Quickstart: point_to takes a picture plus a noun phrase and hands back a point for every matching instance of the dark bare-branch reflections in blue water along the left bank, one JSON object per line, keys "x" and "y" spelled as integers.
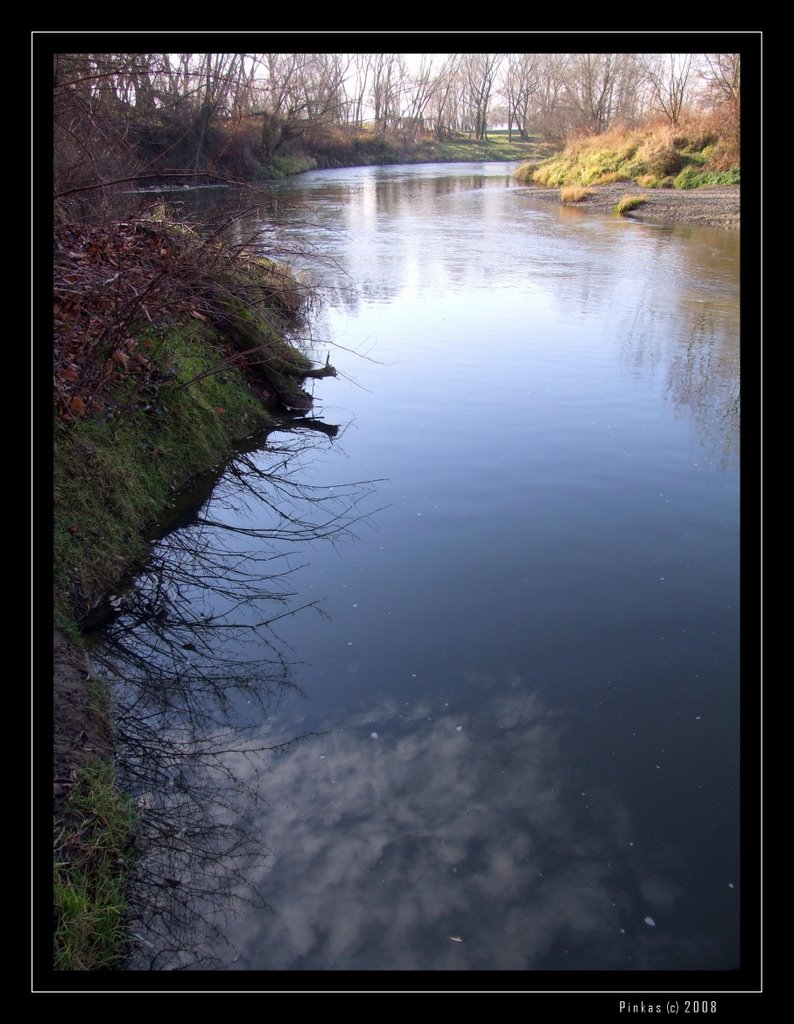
{"x": 197, "y": 664}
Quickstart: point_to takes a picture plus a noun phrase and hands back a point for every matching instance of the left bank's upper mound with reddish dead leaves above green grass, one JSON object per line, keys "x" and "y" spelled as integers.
{"x": 145, "y": 401}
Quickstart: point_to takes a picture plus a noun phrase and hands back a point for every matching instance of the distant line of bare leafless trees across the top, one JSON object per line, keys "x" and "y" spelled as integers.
{"x": 186, "y": 108}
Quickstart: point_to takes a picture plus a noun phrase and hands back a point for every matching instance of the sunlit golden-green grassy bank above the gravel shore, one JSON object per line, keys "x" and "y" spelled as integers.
{"x": 689, "y": 157}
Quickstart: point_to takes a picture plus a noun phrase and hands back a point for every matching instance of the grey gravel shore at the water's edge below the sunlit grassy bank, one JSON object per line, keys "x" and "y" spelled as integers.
{"x": 706, "y": 207}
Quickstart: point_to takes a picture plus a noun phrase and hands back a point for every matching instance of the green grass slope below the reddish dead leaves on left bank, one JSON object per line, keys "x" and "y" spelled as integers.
{"x": 113, "y": 477}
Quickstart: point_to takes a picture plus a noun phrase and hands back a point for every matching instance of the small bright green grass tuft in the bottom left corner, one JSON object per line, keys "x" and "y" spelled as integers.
{"x": 93, "y": 845}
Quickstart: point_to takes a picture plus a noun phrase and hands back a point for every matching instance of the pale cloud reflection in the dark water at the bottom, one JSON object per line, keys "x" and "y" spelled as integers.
{"x": 386, "y": 849}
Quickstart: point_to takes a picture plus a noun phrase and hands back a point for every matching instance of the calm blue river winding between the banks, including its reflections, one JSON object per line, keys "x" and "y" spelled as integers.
{"x": 510, "y": 704}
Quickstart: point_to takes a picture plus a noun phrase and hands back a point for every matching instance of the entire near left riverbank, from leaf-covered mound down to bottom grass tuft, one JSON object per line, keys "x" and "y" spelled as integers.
{"x": 170, "y": 349}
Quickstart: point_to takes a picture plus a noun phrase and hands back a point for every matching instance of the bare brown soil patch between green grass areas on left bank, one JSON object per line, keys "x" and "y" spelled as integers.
{"x": 81, "y": 734}
